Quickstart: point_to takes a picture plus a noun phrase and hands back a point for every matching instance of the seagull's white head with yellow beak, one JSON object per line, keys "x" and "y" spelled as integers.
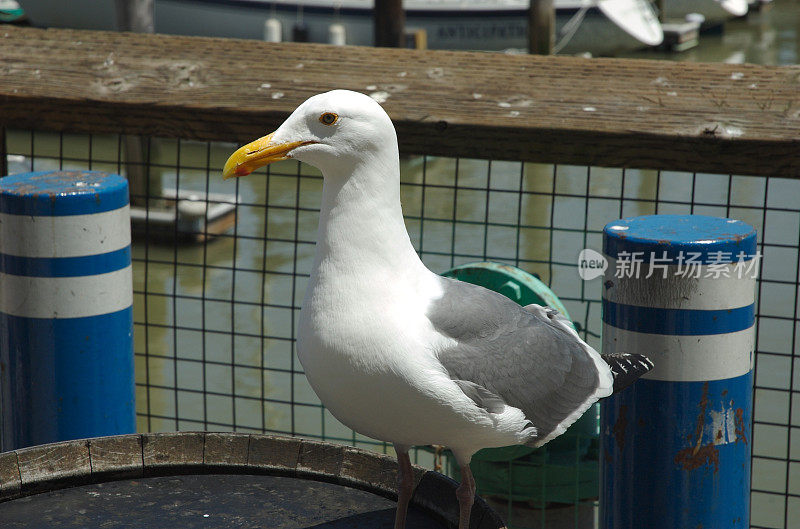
{"x": 334, "y": 130}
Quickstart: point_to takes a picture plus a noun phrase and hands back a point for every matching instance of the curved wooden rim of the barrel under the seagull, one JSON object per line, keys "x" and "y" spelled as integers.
{"x": 44, "y": 468}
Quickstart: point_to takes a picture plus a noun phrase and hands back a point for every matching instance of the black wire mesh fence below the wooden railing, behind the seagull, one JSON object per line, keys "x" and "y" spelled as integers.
{"x": 216, "y": 300}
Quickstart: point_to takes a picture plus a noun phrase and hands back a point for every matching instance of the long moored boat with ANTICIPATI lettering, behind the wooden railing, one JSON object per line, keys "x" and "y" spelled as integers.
{"x": 600, "y": 27}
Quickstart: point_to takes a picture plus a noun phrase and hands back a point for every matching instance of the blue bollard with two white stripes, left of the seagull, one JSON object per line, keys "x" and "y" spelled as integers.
{"x": 66, "y": 317}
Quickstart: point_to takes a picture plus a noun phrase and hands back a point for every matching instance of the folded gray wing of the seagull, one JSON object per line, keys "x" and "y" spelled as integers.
{"x": 527, "y": 357}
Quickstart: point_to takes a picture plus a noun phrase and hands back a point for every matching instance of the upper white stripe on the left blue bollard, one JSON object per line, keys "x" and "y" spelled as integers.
{"x": 55, "y": 236}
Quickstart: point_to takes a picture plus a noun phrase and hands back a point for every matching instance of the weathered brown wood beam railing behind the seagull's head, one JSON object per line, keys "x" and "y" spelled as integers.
{"x": 740, "y": 119}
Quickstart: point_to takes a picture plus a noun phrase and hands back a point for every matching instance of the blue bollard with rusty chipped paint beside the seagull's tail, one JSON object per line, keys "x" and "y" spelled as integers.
{"x": 675, "y": 446}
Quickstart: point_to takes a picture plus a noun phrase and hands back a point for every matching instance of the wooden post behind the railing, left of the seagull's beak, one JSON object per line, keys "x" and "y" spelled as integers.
{"x": 137, "y": 16}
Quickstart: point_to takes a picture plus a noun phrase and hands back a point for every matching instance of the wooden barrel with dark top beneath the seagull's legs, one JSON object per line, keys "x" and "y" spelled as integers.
{"x": 198, "y": 479}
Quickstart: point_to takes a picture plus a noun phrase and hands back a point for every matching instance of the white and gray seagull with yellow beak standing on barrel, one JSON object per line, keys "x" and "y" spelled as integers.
{"x": 399, "y": 353}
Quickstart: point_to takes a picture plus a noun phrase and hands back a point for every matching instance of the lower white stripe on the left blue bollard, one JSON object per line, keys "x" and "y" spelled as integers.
{"x": 65, "y": 297}
